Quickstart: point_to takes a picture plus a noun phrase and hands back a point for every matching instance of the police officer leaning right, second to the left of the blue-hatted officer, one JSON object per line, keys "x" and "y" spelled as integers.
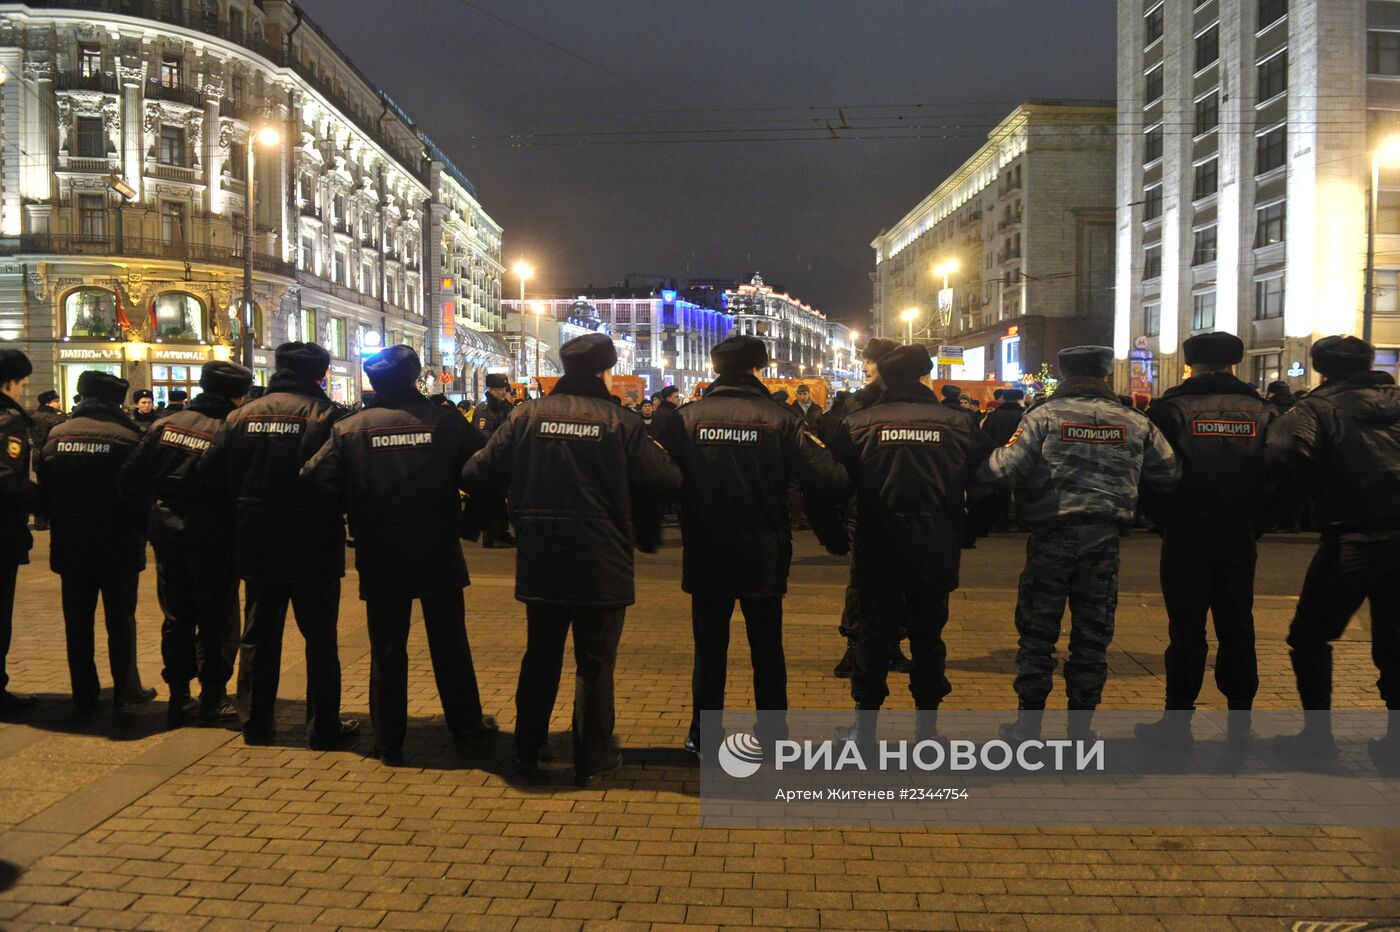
{"x": 192, "y": 538}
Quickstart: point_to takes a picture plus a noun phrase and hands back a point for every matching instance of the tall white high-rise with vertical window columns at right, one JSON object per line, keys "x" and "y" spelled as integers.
{"x": 1247, "y": 131}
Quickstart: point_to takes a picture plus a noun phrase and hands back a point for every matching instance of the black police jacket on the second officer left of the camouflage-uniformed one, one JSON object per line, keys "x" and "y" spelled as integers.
{"x": 737, "y": 450}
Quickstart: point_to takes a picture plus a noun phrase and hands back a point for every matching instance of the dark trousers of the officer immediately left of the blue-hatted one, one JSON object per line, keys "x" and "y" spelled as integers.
{"x": 317, "y": 607}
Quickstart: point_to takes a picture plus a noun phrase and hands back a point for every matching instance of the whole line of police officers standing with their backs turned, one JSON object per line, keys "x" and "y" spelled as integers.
{"x": 258, "y": 488}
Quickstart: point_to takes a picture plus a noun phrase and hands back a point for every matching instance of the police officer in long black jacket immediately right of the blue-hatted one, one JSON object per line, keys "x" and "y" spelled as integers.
{"x": 573, "y": 463}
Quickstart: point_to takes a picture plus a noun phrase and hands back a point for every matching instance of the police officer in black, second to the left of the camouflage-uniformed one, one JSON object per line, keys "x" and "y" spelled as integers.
{"x": 738, "y": 451}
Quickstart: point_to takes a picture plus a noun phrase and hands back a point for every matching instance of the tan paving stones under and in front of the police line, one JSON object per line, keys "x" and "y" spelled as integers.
{"x": 138, "y": 828}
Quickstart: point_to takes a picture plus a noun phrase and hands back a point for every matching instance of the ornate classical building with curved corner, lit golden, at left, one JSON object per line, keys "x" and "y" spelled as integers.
{"x": 127, "y": 135}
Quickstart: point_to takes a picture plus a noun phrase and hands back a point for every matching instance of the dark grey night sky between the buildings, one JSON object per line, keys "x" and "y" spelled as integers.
{"x": 695, "y": 138}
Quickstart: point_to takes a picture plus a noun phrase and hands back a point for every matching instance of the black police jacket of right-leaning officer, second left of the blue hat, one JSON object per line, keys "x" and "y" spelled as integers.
{"x": 164, "y": 471}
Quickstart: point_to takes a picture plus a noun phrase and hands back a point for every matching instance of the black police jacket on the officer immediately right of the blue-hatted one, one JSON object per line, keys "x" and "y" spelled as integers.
{"x": 575, "y": 464}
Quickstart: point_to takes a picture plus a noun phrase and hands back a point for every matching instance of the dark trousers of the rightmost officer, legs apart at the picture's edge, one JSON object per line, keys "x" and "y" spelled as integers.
{"x": 1343, "y": 574}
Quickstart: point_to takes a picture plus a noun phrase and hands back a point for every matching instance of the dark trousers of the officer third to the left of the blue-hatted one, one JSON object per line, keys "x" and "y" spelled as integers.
{"x": 118, "y": 594}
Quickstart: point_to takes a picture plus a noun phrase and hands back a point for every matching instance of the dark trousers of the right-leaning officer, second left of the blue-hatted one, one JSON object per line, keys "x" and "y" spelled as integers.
{"x": 199, "y": 632}
